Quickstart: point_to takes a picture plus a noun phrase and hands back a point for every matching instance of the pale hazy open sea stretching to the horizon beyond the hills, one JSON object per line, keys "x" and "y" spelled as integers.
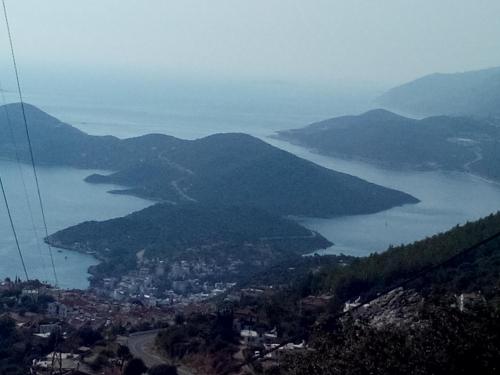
{"x": 82, "y": 105}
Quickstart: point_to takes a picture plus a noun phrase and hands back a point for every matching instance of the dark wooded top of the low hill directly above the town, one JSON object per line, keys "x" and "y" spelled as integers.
{"x": 165, "y": 230}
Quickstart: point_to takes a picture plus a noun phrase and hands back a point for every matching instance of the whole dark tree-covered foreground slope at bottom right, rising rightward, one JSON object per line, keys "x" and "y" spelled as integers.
{"x": 427, "y": 332}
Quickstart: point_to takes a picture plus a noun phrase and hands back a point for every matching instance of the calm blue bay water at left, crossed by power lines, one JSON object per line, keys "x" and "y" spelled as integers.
{"x": 68, "y": 201}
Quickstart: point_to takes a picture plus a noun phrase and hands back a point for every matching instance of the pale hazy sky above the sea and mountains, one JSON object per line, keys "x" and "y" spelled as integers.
{"x": 386, "y": 41}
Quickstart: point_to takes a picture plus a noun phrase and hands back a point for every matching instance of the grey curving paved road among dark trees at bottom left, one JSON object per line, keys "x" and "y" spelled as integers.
{"x": 141, "y": 345}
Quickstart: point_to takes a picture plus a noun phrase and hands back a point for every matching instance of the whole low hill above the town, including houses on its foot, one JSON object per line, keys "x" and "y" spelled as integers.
{"x": 222, "y": 241}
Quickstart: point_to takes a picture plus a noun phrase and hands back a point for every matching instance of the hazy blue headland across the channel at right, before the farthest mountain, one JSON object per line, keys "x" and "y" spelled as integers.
{"x": 382, "y": 137}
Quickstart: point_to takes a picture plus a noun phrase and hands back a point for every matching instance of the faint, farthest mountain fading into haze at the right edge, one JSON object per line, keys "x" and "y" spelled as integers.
{"x": 475, "y": 93}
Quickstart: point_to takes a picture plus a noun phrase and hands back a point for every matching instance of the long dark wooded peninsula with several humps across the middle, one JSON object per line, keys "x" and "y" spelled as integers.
{"x": 222, "y": 169}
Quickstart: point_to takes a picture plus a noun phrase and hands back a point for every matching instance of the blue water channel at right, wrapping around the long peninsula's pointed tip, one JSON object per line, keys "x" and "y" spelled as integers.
{"x": 446, "y": 199}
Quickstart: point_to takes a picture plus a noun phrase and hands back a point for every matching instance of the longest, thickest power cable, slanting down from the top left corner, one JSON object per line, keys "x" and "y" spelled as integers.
{"x": 23, "y": 110}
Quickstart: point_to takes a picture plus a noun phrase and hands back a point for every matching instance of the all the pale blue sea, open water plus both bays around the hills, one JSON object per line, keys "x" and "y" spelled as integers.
{"x": 192, "y": 111}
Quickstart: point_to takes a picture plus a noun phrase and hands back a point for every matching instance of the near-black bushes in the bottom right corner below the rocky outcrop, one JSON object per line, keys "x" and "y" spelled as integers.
{"x": 446, "y": 341}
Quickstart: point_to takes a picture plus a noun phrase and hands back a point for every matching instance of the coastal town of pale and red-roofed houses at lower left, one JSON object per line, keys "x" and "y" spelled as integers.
{"x": 49, "y": 314}
